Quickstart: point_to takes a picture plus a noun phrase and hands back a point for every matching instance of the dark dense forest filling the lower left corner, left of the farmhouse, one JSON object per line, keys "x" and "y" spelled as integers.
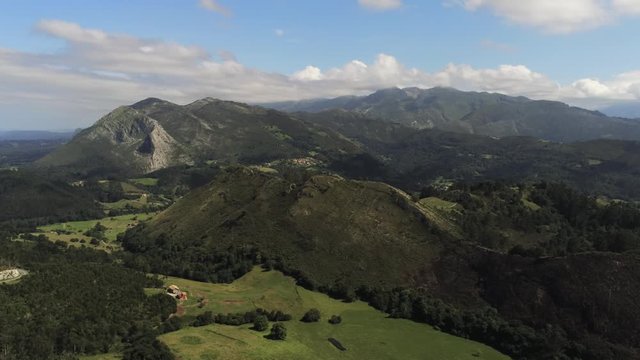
{"x": 77, "y": 301}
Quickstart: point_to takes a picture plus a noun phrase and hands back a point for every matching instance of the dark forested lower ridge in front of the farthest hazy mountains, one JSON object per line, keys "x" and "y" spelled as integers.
{"x": 413, "y": 159}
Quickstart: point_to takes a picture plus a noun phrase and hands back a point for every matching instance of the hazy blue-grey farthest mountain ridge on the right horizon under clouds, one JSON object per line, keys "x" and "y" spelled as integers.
{"x": 477, "y": 113}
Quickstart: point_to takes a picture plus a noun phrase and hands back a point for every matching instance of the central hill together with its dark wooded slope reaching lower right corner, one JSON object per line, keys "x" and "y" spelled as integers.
{"x": 474, "y": 263}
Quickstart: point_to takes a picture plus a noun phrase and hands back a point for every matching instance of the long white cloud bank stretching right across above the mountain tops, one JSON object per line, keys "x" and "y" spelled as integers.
{"x": 96, "y": 71}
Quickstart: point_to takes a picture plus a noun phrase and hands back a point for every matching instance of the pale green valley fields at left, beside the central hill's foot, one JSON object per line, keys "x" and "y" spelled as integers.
{"x": 75, "y": 229}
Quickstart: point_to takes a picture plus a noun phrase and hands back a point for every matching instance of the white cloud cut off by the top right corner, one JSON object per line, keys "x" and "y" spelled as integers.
{"x": 557, "y": 16}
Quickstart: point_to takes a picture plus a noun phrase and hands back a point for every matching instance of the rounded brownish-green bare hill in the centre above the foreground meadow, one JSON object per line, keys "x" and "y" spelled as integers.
{"x": 324, "y": 217}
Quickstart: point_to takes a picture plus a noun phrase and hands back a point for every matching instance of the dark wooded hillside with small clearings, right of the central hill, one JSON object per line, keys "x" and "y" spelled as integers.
{"x": 544, "y": 219}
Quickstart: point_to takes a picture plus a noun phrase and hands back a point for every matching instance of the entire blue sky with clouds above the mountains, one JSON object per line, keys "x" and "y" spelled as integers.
{"x": 66, "y": 63}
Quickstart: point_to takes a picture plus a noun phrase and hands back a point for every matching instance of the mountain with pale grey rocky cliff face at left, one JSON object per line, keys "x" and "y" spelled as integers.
{"x": 154, "y": 134}
